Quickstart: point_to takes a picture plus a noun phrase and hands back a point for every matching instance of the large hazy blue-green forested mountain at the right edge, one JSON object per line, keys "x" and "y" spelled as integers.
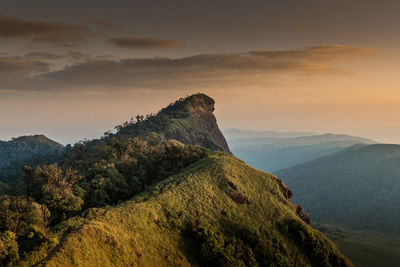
{"x": 357, "y": 188}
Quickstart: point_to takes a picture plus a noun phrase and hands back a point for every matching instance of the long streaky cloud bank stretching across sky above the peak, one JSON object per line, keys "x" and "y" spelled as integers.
{"x": 200, "y": 70}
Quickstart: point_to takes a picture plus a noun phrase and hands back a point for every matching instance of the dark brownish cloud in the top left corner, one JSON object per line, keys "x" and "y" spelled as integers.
{"x": 53, "y": 32}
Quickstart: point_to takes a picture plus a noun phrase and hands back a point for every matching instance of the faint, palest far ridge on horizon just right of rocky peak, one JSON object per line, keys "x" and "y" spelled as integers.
{"x": 234, "y": 133}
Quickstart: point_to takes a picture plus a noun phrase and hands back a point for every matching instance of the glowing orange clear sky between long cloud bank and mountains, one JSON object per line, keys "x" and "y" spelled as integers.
{"x": 363, "y": 101}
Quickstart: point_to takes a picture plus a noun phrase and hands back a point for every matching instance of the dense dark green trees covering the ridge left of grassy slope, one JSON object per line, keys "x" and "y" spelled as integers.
{"x": 88, "y": 176}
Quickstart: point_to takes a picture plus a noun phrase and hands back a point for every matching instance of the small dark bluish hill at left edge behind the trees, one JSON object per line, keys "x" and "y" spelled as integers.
{"x": 26, "y": 146}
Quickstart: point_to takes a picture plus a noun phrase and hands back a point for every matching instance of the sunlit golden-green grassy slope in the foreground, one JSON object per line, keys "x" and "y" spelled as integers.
{"x": 148, "y": 230}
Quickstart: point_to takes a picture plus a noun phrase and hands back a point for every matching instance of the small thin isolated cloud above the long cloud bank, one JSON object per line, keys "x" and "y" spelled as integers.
{"x": 143, "y": 43}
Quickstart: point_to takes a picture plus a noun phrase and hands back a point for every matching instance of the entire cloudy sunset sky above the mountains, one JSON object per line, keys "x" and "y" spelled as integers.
{"x": 75, "y": 69}
